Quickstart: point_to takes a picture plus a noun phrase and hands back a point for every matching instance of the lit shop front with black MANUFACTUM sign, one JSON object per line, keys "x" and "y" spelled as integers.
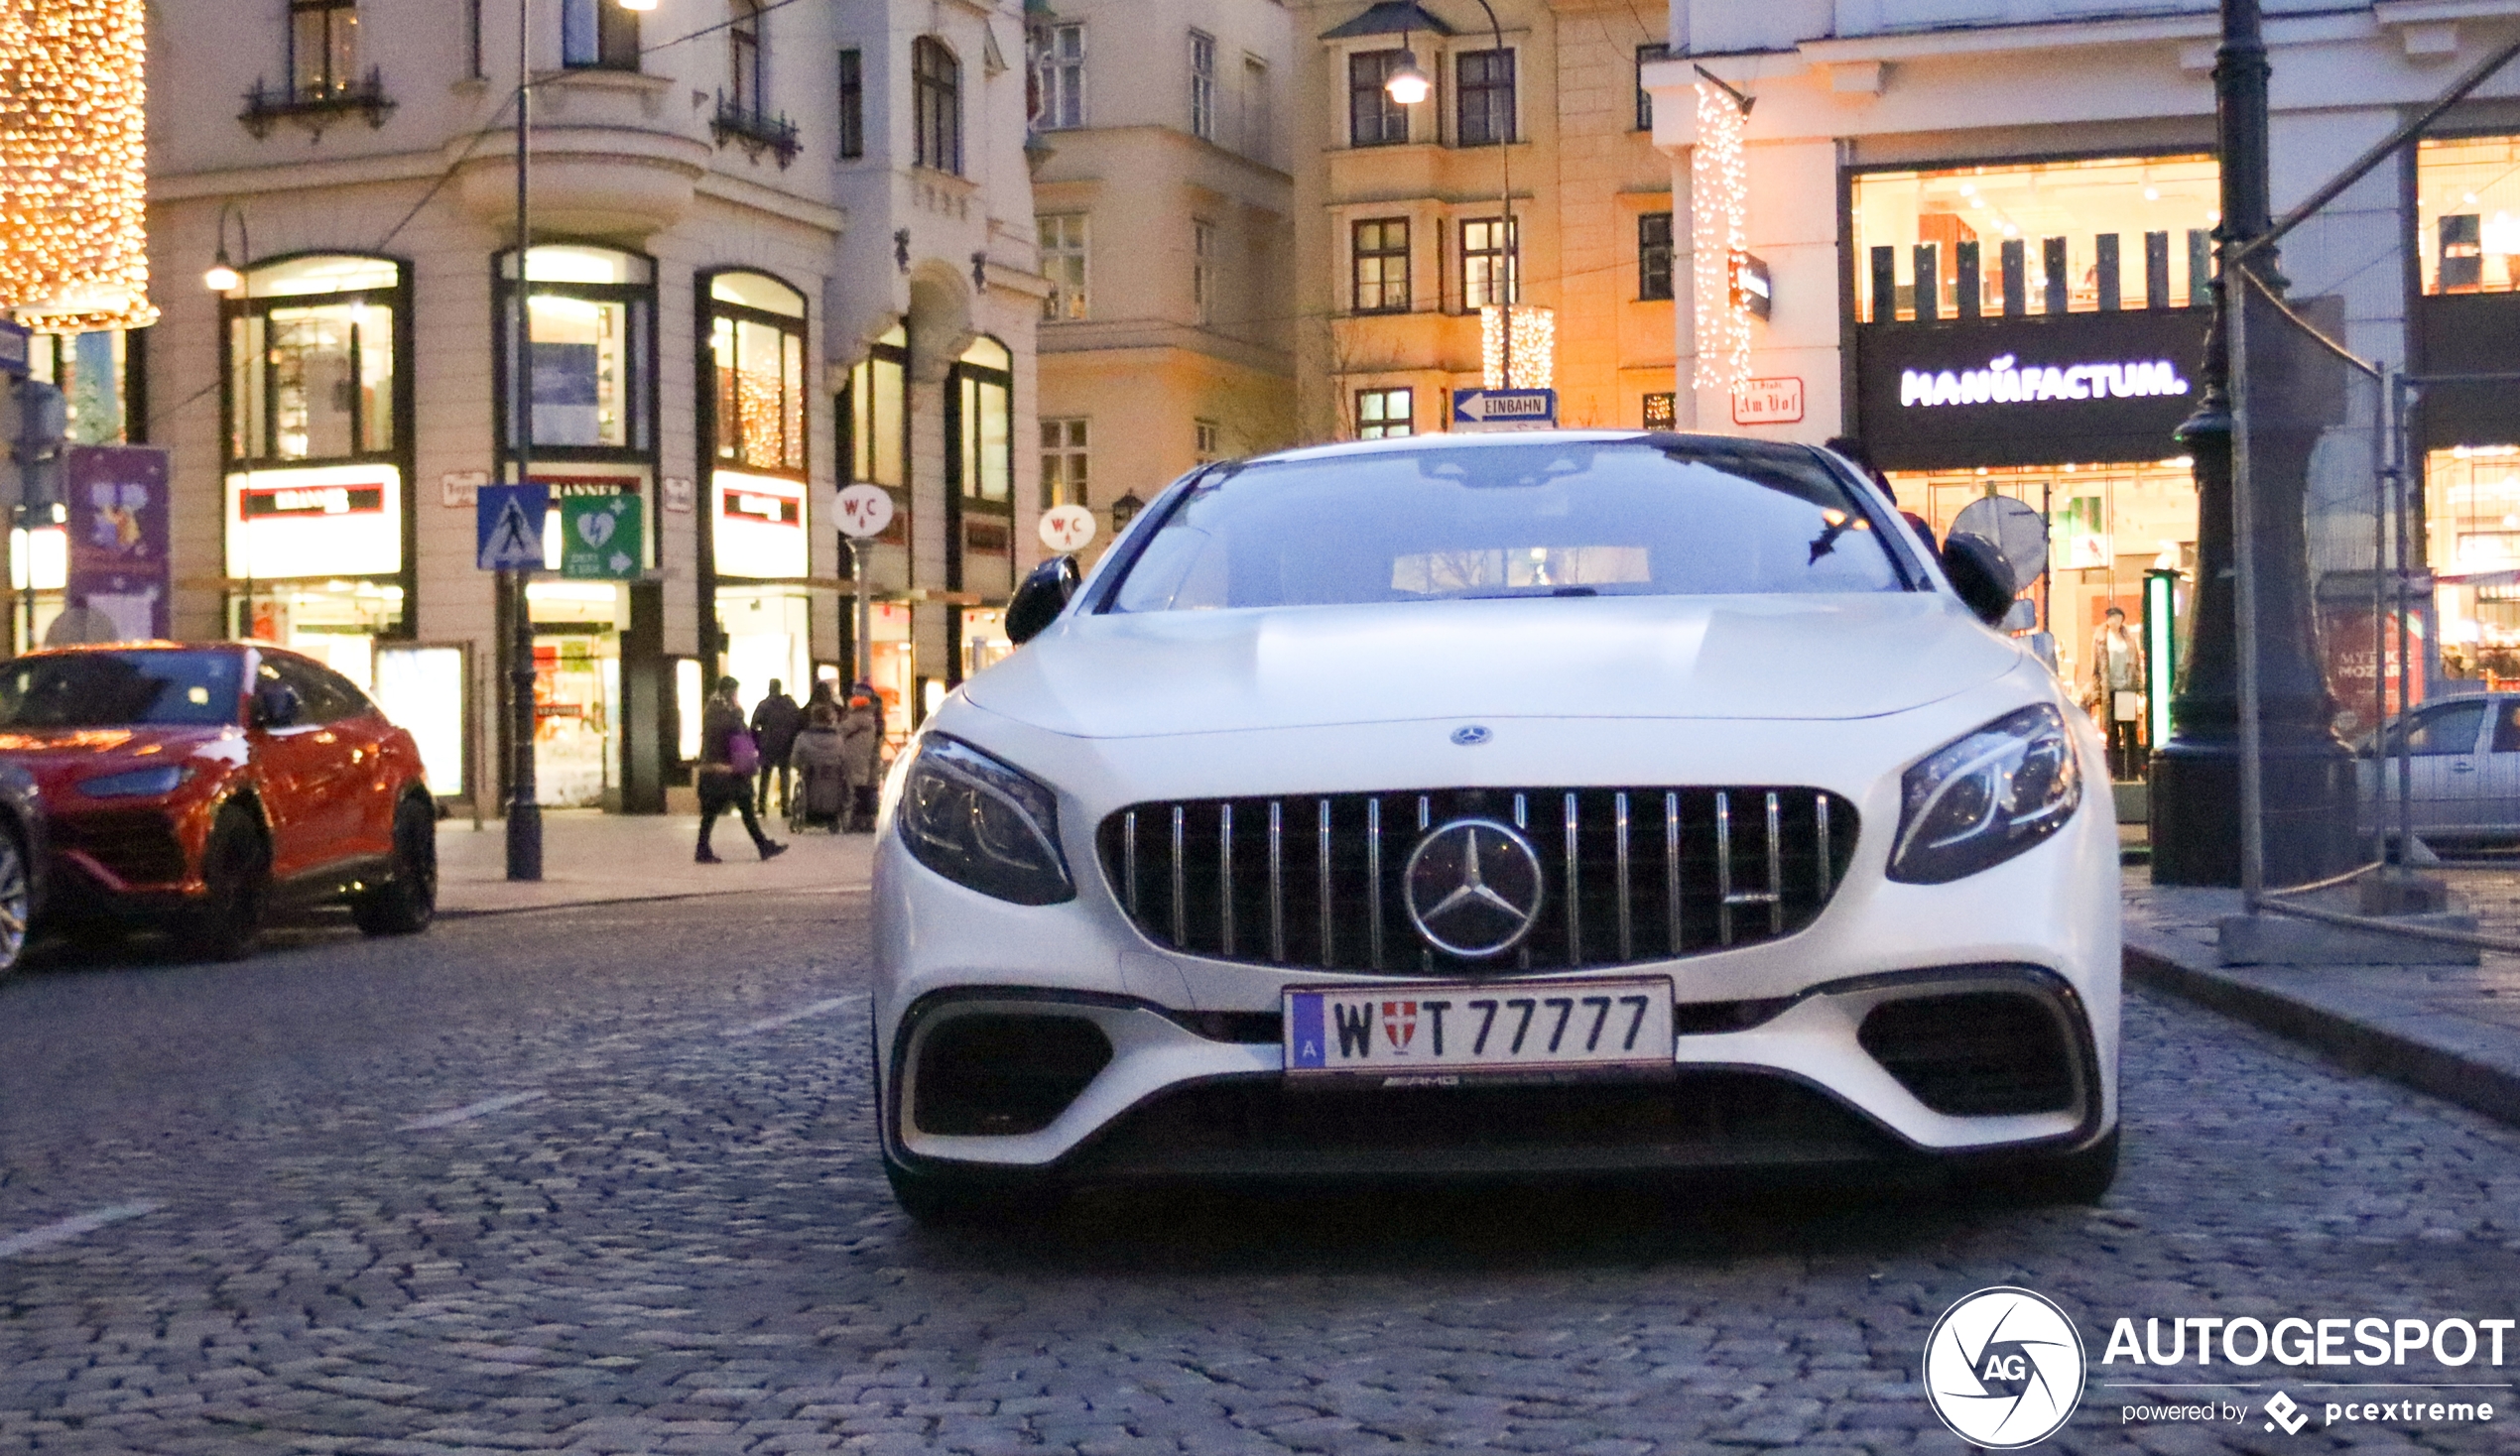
{"x": 2035, "y": 331}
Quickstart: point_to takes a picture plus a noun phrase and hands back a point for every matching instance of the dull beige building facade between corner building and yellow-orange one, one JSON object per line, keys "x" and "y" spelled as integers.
{"x": 1160, "y": 183}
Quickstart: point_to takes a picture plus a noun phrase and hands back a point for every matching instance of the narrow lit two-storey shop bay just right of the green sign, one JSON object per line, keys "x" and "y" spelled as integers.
{"x": 760, "y": 513}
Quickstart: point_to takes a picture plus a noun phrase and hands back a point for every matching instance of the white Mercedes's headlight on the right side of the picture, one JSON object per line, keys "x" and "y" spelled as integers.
{"x": 1987, "y": 797}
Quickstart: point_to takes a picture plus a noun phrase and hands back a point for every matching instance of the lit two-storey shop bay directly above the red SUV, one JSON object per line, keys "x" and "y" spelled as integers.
{"x": 316, "y": 399}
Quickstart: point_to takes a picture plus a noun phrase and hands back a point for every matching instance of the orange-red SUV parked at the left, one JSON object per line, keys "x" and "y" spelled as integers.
{"x": 203, "y": 785}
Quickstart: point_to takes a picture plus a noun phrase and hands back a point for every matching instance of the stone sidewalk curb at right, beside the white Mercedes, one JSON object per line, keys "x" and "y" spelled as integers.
{"x": 2448, "y": 1057}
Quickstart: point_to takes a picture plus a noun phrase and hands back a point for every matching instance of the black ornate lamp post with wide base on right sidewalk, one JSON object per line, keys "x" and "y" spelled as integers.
{"x": 2196, "y": 775}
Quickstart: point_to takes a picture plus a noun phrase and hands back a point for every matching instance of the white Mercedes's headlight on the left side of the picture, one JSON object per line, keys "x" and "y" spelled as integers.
{"x": 984, "y": 825}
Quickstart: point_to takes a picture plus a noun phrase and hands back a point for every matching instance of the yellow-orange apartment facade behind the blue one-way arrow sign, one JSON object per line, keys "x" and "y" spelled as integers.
{"x": 1405, "y": 248}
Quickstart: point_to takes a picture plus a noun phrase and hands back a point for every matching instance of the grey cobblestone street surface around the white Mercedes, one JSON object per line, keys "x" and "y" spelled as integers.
{"x": 604, "y": 1180}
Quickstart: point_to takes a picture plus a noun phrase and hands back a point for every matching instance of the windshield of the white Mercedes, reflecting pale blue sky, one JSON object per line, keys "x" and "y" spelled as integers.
{"x": 1526, "y": 520}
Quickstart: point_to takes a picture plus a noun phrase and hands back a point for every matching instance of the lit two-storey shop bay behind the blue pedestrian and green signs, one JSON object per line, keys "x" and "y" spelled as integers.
{"x": 601, "y": 681}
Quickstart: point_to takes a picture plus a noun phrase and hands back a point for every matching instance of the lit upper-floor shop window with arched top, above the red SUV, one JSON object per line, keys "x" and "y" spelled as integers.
{"x": 311, "y": 356}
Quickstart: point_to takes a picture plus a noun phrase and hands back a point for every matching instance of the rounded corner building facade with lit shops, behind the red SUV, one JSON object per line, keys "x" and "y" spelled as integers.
{"x": 775, "y": 251}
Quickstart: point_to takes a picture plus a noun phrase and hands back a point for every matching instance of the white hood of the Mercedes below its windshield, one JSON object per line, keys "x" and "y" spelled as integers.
{"x": 1813, "y": 659}
